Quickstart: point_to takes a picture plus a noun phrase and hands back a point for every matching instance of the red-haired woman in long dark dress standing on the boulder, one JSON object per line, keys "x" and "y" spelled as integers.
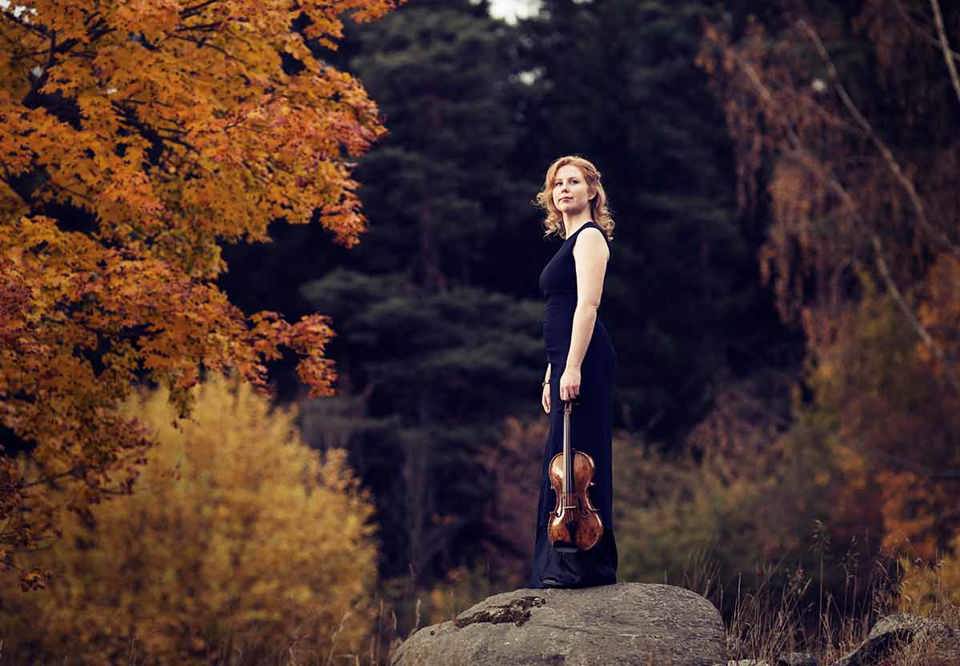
{"x": 580, "y": 364}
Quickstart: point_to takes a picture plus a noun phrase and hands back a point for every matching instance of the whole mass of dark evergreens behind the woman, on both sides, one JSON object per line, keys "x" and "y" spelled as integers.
{"x": 437, "y": 311}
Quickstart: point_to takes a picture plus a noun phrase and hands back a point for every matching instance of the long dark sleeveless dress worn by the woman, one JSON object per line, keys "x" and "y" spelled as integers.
{"x": 590, "y": 425}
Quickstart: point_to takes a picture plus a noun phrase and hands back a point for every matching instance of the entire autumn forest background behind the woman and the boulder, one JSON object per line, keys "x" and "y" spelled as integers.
{"x": 783, "y": 294}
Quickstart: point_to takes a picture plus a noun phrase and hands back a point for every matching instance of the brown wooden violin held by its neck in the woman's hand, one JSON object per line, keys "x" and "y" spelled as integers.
{"x": 575, "y": 523}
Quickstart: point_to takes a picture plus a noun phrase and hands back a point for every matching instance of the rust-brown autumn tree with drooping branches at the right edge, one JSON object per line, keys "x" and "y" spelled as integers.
{"x": 845, "y": 121}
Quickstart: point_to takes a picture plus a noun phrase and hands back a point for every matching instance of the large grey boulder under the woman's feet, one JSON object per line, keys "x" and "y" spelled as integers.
{"x": 625, "y": 623}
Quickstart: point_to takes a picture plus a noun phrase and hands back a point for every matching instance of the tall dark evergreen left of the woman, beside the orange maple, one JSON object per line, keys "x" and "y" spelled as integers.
{"x": 430, "y": 327}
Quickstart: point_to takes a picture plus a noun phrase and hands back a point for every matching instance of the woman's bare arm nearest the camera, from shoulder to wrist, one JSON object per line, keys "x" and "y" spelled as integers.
{"x": 590, "y": 253}
